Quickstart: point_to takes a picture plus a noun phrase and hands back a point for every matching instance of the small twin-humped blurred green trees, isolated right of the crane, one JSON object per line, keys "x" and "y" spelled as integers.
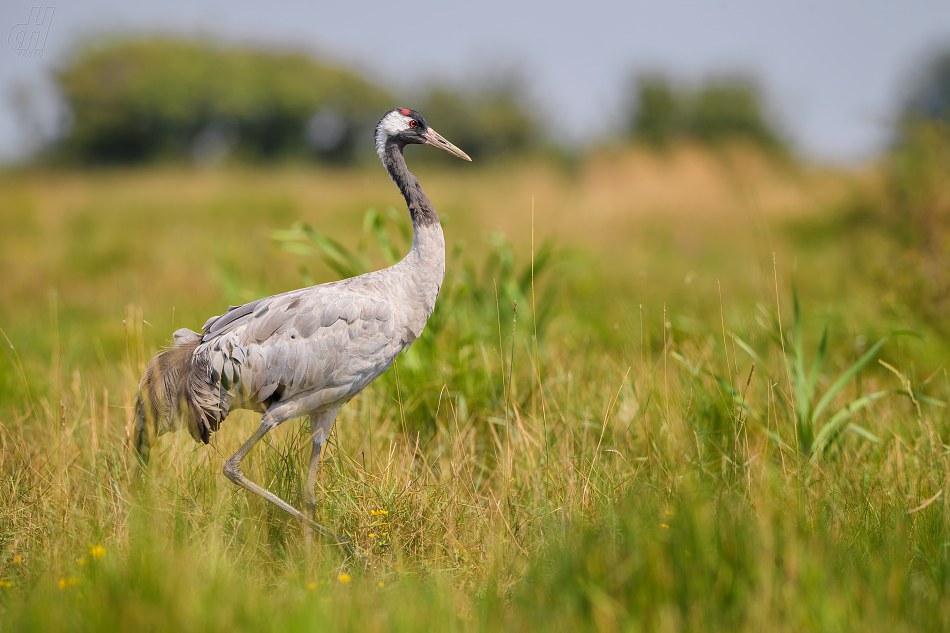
{"x": 662, "y": 113}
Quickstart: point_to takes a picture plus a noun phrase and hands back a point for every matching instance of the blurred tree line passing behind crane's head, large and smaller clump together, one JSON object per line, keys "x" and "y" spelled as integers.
{"x": 137, "y": 101}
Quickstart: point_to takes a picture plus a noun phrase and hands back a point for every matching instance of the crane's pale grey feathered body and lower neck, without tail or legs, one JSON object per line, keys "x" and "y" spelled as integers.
{"x": 312, "y": 350}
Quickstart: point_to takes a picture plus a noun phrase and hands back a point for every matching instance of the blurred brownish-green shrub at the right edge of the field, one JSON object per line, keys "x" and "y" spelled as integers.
{"x": 906, "y": 221}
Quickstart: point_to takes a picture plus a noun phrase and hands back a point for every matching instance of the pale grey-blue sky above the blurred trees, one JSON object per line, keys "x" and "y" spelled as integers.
{"x": 834, "y": 72}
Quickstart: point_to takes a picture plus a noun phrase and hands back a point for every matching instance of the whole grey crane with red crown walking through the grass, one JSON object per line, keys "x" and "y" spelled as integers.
{"x": 306, "y": 352}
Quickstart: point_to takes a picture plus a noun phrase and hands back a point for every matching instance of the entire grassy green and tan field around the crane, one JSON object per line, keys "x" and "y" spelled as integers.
{"x": 675, "y": 392}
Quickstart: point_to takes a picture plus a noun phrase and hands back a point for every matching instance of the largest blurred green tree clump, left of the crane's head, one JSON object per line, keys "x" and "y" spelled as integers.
{"x": 145, "y": 100}
